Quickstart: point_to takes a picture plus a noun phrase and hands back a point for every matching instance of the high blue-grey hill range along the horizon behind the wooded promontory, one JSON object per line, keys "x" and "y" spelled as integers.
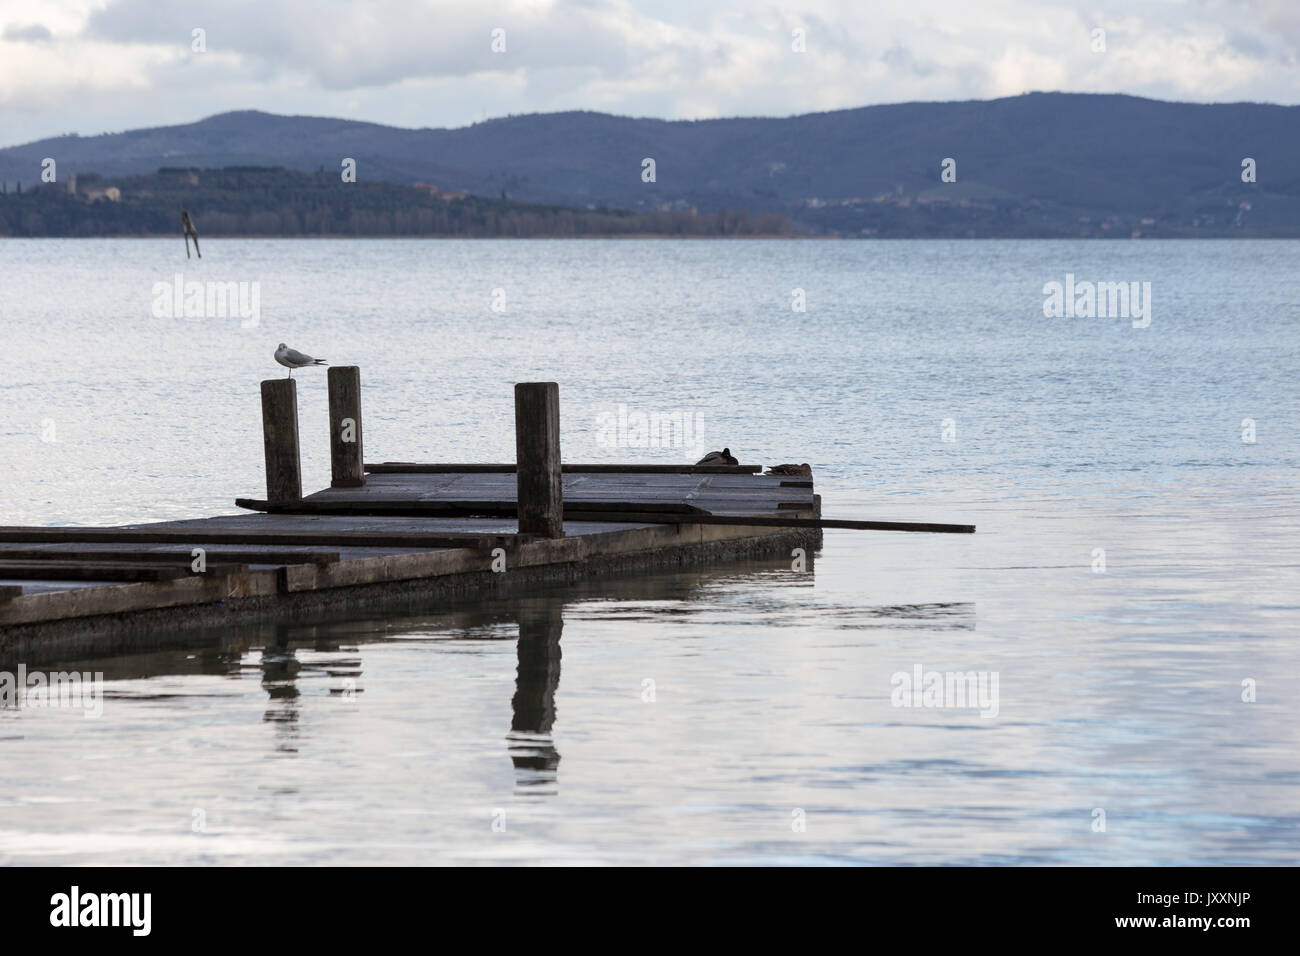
{"x": 1041, "y": 165}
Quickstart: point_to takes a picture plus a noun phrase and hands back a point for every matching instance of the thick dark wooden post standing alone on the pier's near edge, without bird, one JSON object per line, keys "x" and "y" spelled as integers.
{"x": 538, "y": 458}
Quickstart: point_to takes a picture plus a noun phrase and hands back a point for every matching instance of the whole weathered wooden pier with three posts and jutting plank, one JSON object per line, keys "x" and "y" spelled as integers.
{"x": 392, "y": 531}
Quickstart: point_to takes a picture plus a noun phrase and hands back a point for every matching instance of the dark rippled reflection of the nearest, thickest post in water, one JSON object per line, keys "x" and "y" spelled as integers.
{"x": 540, "y": 626}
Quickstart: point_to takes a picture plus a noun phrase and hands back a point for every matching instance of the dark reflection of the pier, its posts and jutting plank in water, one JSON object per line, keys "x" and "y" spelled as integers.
{"x": 322, "y": 657}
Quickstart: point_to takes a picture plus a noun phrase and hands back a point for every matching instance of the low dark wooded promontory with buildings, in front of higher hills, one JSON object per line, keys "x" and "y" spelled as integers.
{"x": 274, "y": 201}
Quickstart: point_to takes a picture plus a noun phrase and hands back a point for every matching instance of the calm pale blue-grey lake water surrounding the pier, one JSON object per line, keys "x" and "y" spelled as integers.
{"x": 1134, "y": 577}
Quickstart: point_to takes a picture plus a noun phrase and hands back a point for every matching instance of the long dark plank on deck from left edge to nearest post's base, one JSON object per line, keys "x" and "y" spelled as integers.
{"x": 254, "y": 537}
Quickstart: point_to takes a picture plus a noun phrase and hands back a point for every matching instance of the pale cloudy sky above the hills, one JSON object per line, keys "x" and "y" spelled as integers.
{"x": 107, "y": 66}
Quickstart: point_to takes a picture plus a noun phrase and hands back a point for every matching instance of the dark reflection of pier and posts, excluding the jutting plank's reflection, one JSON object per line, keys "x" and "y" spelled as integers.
{"x": 293, "y": 661}
